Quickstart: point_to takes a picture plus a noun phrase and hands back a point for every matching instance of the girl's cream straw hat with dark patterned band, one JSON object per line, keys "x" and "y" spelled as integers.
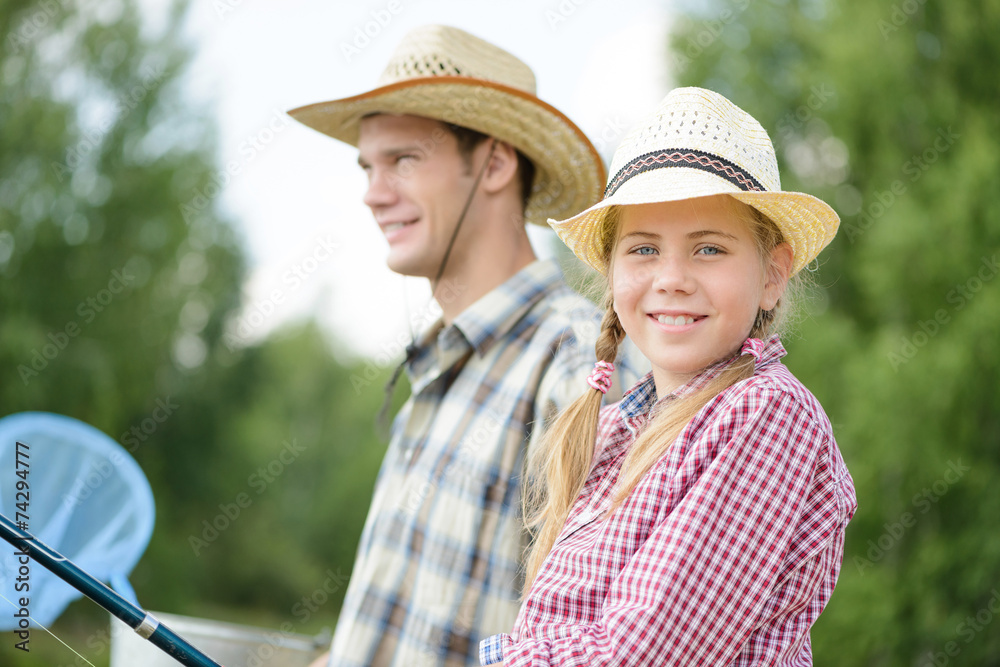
{"x": 698, "y": 143}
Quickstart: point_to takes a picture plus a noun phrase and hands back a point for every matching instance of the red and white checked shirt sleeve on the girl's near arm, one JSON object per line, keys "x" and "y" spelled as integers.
{"x": 699, "y": 585}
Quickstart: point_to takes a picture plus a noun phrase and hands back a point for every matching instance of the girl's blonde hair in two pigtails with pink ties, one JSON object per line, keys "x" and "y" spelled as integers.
{"x": 558, "y": 465}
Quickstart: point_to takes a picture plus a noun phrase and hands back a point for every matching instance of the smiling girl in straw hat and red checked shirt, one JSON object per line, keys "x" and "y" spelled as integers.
{"x": 700, "y": 521}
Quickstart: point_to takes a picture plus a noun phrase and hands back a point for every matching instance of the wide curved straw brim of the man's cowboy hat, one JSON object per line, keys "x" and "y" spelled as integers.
{"x": 569, "y": 173}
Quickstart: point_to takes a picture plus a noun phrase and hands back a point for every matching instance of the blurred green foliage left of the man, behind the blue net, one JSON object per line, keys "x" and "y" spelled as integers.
{"x": 118, "y": 281}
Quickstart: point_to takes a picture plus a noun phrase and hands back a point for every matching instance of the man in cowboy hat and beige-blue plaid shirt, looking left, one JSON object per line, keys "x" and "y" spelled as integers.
{"x": 459, "y": 152}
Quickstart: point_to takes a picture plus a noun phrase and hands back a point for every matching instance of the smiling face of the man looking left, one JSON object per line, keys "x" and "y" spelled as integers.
{"x": 418, "y": 183}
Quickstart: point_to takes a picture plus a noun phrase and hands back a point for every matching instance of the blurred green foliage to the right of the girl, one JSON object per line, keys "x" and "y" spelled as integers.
{"x": 901, "y": 344}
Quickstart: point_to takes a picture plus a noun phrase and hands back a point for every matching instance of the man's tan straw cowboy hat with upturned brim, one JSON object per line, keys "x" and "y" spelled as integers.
{"x": 449, "y": 75}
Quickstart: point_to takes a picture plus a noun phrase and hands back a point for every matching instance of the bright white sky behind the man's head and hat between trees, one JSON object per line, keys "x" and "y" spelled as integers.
{"x": 313, "y": 247}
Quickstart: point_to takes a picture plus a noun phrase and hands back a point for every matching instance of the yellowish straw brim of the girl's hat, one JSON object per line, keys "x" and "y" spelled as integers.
{"x": 807, "y": 223}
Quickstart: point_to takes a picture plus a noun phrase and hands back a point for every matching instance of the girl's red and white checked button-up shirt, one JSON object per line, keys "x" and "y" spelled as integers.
{"x": 724, "y": 554}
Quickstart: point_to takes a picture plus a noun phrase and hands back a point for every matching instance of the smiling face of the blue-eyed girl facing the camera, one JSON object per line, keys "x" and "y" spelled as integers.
{"x": 687, "y": 281}
